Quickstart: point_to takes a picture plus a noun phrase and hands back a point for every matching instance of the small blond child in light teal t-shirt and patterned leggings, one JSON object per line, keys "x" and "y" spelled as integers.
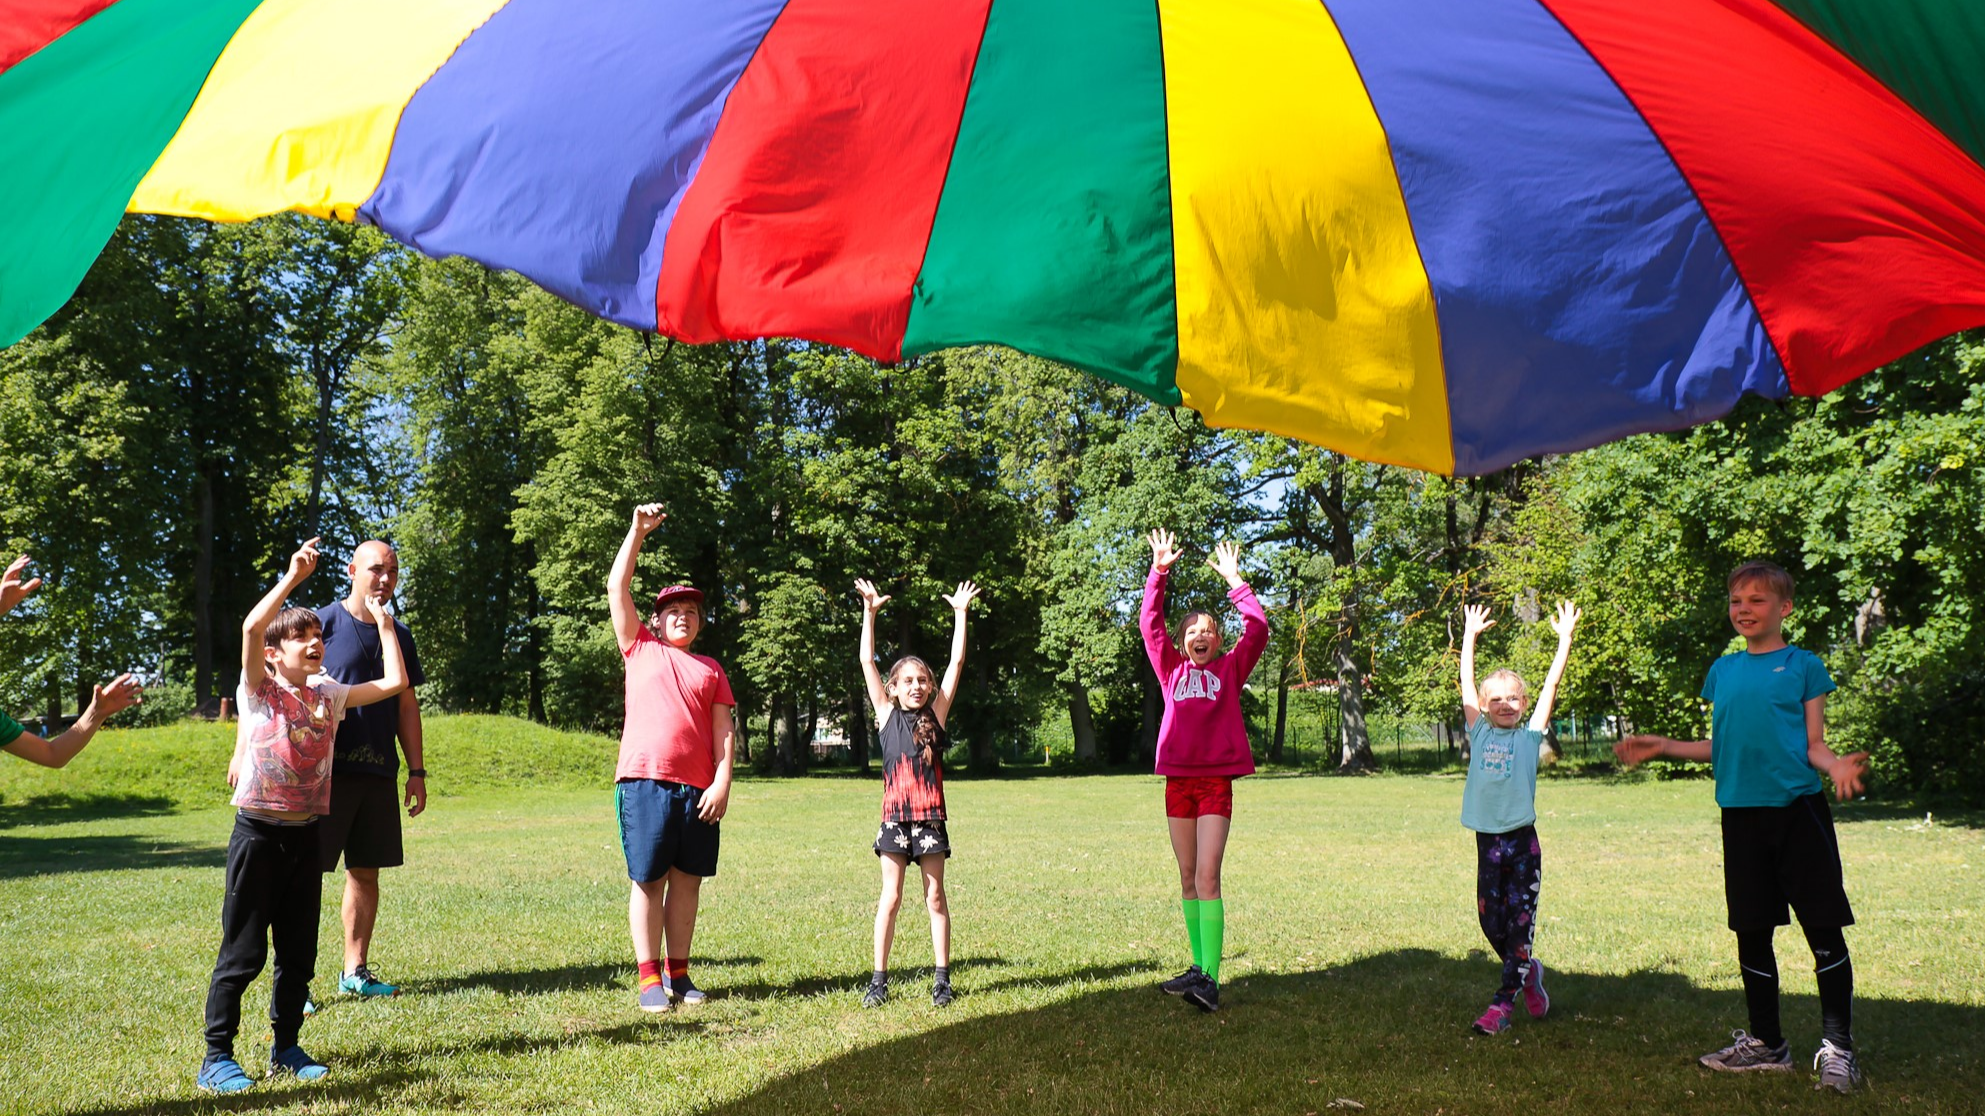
{"x": 1500, "y": 803}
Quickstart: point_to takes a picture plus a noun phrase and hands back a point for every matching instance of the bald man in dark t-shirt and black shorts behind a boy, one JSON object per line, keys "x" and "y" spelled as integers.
{"x": 366, "y": 797}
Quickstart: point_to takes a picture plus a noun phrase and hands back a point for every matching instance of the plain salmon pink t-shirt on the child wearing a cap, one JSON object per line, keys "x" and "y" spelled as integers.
{"x": 670, "y": 700}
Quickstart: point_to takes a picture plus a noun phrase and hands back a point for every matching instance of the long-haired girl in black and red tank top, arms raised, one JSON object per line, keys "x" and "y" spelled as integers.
{"x": 910, "y": 720}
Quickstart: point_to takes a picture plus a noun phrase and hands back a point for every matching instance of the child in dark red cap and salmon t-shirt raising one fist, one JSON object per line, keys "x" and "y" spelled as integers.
{"x": 674, "y": 777}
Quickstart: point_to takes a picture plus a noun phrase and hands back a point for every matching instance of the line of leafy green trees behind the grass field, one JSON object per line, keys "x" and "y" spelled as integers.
{"x": 215, "y": 394}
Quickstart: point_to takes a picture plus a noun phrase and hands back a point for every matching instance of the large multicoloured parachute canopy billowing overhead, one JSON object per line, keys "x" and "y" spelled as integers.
{"x": 1438, "y": 233}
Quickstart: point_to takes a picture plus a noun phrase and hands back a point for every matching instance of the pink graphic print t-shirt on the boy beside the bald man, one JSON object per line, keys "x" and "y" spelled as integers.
{"x": 287, "y": 766}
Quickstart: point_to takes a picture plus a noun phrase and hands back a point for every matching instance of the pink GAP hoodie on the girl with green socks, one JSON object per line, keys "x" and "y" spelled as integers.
{"x": 1204, "y": 732}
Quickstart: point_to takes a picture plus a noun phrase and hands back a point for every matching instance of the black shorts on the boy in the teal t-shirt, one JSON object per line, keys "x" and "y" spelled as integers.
{"x": 1778, "y": 857}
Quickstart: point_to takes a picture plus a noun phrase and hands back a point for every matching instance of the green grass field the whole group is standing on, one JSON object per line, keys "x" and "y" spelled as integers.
{"x": 1355, "y": 964}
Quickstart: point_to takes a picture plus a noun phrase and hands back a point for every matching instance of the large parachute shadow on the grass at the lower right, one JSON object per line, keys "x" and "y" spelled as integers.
{"x": 1389, "y": 1034}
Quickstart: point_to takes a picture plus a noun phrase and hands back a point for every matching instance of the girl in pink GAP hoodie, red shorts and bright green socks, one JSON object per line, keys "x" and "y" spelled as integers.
{"x": 1202, "y": 748}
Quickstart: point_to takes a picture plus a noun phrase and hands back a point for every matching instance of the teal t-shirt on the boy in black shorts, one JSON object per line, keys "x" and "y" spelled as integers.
{"x": 1758, "y": 726}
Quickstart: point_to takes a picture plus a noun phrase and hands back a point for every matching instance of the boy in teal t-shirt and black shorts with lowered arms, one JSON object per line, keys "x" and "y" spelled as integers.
{"x": 1768, "y": 748}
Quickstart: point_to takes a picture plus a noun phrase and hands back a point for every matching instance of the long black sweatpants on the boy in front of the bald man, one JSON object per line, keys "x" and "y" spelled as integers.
{"x": 275, "y": 885}
